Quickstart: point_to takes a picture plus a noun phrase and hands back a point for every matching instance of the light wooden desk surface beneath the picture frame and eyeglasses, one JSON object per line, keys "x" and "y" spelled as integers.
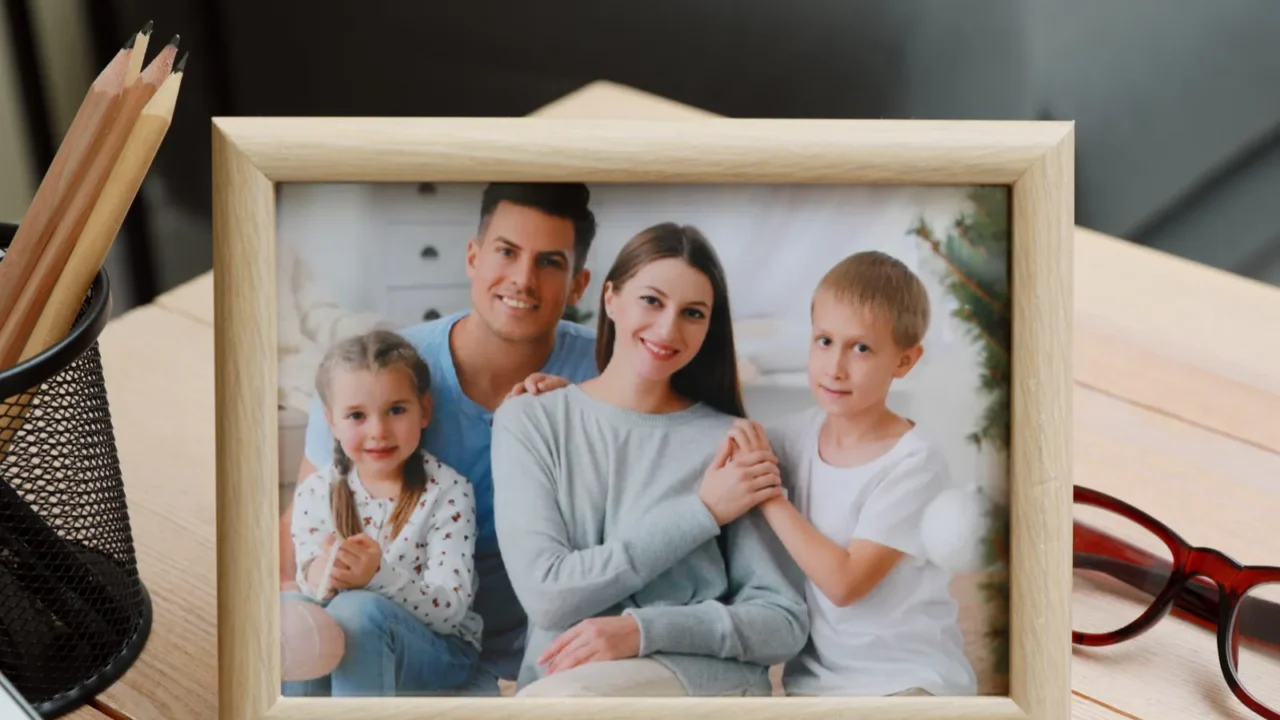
{"x": 1177, "y": 409}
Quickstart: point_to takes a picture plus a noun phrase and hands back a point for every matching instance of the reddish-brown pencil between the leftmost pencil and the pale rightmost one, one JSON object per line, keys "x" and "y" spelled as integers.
{"x": 35, "y": 294}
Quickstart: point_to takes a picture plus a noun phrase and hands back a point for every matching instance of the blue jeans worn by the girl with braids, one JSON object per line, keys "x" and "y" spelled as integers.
{"x": 391, "y": 653}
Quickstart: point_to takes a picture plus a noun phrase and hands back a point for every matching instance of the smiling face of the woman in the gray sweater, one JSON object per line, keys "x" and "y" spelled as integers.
{"x": 661, "y": 317}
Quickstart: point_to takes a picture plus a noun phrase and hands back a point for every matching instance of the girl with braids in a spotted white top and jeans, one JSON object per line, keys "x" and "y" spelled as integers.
{"x": 385, "y": 537}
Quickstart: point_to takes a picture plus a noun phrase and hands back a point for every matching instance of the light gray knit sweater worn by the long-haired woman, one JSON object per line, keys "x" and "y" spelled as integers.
{"x": 597, "y": 513}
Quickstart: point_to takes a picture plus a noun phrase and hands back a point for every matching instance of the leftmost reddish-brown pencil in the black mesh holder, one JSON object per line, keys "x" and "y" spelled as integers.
{"x": 95, "y": 115}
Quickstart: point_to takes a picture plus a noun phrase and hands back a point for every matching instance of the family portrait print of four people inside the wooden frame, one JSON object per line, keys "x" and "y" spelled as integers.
{"x": 623, "y": 440}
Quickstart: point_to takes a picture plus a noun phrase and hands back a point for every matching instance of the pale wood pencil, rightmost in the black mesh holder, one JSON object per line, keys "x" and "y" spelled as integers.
{"x": 107, "y": 218}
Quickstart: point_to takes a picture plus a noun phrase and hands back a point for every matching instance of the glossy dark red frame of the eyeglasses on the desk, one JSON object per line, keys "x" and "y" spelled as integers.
{"x": 1181, "y": 589}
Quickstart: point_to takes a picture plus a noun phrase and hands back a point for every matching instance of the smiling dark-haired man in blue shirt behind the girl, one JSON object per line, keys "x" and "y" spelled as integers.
{"x": 527, "y": 265}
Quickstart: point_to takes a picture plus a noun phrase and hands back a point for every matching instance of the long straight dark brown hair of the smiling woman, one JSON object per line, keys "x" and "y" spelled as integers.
{"x": 711, "y": 377}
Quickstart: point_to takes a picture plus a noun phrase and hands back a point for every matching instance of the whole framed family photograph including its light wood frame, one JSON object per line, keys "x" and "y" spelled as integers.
{"x": 710, "y": 418}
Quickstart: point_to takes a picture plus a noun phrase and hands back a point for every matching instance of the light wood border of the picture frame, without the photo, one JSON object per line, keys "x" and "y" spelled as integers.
{"x": 1036, "y": 160}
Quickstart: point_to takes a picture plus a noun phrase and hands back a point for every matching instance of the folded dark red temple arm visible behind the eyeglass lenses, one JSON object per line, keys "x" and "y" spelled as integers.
{"x": 1258, "y": 619}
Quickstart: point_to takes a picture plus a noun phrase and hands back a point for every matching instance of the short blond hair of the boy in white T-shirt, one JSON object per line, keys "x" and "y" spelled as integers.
{"x": 884, "y": 285}
